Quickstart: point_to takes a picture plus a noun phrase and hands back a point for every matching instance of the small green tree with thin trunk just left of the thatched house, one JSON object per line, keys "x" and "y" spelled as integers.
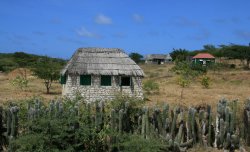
{"x": 47, "y": 70}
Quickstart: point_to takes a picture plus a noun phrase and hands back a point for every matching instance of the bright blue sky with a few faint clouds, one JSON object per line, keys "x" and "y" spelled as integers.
{"x": 58, "y": 27}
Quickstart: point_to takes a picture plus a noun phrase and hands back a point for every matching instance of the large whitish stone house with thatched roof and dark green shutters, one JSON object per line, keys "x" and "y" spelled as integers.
{"x": 101, "y": 73}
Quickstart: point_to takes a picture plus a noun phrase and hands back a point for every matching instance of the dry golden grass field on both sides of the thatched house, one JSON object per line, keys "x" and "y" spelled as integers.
{"x": 231, "y": 84}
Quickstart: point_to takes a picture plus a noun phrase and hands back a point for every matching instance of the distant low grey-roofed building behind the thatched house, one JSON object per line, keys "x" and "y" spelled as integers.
{"x": 158, "y": 59}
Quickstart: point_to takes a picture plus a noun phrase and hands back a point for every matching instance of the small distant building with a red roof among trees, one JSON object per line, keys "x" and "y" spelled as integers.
{"x": 203, "y": 59}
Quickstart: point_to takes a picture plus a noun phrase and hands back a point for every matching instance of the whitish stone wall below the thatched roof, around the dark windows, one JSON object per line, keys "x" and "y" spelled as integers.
{"x": 98, "y": 92}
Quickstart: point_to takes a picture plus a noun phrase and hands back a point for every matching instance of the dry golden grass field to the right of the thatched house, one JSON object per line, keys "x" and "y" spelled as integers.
{"x": 230, "y": 84}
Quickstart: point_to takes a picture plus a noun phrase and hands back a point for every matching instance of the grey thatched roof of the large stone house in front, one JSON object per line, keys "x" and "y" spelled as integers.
{"x": 102, "y": 61}
